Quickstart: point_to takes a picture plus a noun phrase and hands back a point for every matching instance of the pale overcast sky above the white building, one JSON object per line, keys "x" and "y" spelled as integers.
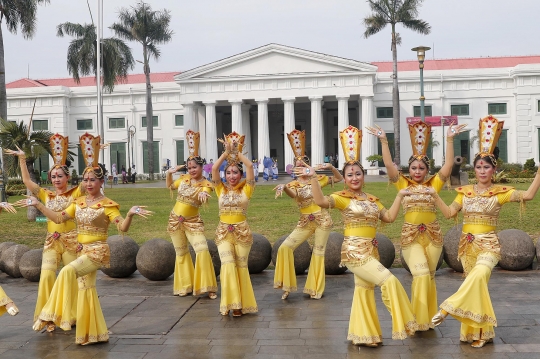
{"x": 210, "y": 30}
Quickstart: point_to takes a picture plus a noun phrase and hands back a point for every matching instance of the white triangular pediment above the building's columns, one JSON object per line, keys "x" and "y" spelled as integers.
{"x": 275, "y": 60}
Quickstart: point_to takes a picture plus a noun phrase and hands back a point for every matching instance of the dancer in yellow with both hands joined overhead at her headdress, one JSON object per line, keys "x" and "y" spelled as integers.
{"x": 233, "y": 235}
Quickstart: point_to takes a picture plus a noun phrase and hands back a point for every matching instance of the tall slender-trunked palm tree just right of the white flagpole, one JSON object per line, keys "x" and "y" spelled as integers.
{"x": 150, "y": 28}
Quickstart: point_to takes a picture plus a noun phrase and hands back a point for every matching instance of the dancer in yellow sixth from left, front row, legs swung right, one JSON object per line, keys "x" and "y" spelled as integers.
{"x": 361, "y": 213}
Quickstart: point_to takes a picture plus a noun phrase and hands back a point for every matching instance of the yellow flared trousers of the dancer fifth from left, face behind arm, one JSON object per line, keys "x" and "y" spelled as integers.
{"x": 285, "y": 276}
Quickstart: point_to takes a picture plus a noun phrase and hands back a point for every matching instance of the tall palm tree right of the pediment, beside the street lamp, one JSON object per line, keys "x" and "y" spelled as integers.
{"x": 392, "y": 12}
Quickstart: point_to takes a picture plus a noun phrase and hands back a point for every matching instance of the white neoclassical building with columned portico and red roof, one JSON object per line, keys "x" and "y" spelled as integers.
{"x": 268, "y": 91}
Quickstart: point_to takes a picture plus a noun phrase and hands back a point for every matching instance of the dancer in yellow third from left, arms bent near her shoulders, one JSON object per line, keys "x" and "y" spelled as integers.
{"x": 185, "y": 224}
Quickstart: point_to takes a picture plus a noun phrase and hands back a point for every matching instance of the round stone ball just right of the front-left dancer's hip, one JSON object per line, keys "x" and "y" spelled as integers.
{"x": 123, "y": 256}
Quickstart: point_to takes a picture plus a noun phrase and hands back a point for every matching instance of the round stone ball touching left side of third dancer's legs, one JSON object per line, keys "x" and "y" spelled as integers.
{"x": 156, "y": 259}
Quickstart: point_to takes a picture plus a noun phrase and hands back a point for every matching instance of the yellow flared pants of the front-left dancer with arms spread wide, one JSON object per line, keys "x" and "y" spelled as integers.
{"x": 91, "y": 326}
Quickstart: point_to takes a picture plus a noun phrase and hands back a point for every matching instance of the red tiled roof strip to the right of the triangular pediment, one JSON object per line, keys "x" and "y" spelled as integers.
{"x": 460, "y": 64}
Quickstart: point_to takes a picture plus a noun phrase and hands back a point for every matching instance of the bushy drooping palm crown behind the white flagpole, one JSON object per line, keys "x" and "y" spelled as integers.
{"x": 82, "y": 53}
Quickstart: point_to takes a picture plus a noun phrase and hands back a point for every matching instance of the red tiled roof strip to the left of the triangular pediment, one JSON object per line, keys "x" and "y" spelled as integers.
{"x": 90, "y": 81}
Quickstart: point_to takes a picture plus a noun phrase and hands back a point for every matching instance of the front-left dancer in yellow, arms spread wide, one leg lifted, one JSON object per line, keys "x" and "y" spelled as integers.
{"x": 93, "y": 214}
